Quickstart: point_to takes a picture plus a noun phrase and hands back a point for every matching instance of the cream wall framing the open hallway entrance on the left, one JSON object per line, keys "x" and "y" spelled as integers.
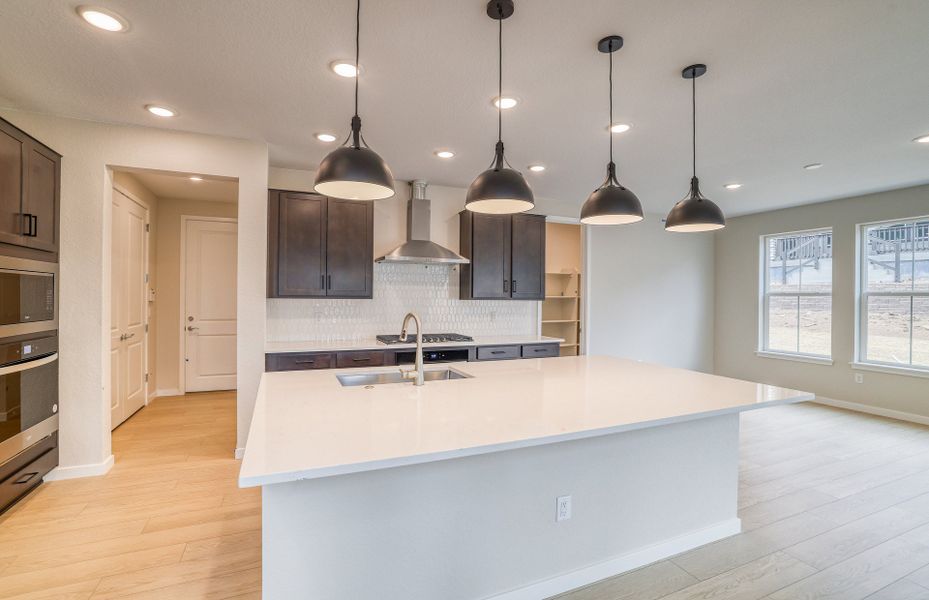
{"x": 89, "y": 150}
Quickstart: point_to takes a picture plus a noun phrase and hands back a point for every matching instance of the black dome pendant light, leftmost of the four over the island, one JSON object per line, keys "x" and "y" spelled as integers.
{"x": 354, "y": 171}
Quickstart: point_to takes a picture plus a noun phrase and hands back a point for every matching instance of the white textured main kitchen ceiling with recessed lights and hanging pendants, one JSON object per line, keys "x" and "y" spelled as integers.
{"x": 790, "y": 82}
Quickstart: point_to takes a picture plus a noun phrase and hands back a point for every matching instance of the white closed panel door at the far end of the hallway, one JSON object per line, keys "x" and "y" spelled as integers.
{"x": 209, "y": 304}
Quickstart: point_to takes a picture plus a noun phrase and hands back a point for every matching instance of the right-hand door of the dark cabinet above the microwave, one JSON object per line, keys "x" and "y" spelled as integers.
{"x": 40, "y": 205}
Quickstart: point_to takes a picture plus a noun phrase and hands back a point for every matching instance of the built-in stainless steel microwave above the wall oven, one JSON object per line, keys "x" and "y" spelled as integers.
{"x": 28, "y": 296}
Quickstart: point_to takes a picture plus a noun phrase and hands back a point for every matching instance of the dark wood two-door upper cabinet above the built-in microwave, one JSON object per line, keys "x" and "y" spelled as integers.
{"x": 30, "y": 193}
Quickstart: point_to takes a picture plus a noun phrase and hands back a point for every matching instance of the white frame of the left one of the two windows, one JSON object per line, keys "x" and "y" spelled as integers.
{"x": 764, "y": 294}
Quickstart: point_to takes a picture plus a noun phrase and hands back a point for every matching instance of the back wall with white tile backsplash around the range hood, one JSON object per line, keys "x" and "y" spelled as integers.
{"x": 432, "y": 292}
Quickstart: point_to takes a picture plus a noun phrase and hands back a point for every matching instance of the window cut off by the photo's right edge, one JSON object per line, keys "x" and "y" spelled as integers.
{"x": 894, "y": 294}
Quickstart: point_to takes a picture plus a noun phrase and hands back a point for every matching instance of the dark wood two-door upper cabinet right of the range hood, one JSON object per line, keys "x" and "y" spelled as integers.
{"x": 507, "y": 254}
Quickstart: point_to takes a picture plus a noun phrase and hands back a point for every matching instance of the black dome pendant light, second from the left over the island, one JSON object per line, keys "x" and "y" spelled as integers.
{"x": 499, "y": 190}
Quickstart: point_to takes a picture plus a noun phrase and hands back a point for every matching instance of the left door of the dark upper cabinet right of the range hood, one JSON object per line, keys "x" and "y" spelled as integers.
{"x": 490, "y": 256}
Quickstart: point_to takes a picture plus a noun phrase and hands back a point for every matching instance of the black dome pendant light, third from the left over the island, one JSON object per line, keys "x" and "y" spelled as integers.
{"x": 611, "y": 203}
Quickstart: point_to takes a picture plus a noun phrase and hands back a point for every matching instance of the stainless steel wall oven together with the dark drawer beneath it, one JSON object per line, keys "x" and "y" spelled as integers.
{"x": 28, "y": 413}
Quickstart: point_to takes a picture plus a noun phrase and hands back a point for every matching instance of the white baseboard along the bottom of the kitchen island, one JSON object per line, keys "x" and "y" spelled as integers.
{"x": 623, "y": 563}
